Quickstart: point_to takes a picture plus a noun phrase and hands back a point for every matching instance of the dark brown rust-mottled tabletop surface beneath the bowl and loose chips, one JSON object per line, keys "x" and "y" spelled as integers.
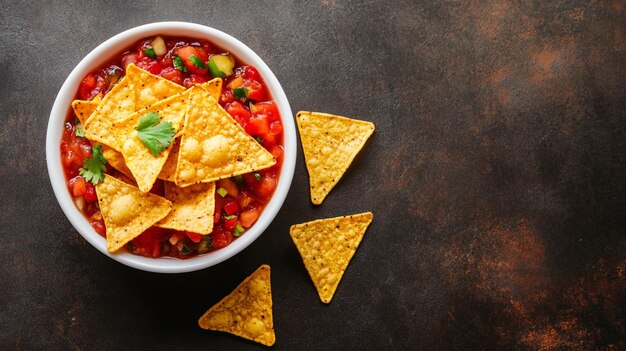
{"x": 496, "y": 177}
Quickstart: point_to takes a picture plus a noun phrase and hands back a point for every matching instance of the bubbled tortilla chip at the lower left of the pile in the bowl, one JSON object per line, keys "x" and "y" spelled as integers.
{"x": 127, "y": 212}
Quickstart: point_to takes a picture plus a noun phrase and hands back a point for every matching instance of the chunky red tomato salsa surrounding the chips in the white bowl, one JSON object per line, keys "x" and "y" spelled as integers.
{"x": 239, "y": 200}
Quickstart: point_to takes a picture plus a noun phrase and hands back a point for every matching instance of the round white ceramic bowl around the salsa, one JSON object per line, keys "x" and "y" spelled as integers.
{"x": 99, "y": 56}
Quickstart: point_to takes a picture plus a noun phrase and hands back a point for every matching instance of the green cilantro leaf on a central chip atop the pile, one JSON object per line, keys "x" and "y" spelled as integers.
{"x": 156, "y": 137}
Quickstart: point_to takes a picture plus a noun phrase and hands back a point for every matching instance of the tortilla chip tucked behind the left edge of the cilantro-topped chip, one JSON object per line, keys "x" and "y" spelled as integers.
{"x": 116, "y": 105}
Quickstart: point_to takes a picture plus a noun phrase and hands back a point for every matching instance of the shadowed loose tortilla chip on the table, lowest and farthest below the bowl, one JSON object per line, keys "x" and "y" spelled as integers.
{"x": 247, "y": 311}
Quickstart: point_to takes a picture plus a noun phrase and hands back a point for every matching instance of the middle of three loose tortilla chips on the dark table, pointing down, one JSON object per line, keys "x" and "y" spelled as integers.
{"x": 326, "y": 247}
